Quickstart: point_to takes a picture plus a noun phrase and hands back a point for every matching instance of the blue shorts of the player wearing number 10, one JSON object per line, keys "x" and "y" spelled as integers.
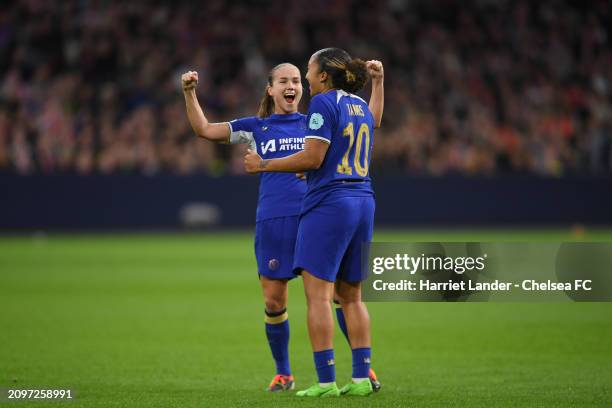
{"x": 331, "y": 238}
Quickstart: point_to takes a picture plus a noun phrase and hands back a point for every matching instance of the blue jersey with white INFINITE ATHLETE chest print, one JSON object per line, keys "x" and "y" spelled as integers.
{"x": 280, "y": 194}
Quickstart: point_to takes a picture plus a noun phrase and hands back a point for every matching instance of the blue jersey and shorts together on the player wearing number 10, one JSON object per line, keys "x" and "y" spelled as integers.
{"x": 337, "y": 217}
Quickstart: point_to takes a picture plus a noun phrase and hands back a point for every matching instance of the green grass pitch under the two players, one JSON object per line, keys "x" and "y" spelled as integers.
{"x": 168, "y": 320}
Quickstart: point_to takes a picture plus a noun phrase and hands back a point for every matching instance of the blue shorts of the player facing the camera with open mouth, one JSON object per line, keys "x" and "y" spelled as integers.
{"x": 274, "y": 247}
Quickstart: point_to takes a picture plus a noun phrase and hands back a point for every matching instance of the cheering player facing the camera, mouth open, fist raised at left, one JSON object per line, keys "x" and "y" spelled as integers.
{"x": 278, "y": 131}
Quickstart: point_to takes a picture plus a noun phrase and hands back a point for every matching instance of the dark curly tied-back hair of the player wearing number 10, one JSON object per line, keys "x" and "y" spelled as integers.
{"x": 346, "y": 73}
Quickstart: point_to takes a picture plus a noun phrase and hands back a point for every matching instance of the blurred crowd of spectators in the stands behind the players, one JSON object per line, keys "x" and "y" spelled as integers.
{"x": 472, "y": 87}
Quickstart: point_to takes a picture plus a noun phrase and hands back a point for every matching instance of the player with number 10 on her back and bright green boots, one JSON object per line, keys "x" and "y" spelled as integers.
{"x": 337, "y": 213}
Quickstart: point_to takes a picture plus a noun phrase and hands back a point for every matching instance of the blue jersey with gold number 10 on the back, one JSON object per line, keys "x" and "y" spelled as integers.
{"x": 345, "y": 122}
